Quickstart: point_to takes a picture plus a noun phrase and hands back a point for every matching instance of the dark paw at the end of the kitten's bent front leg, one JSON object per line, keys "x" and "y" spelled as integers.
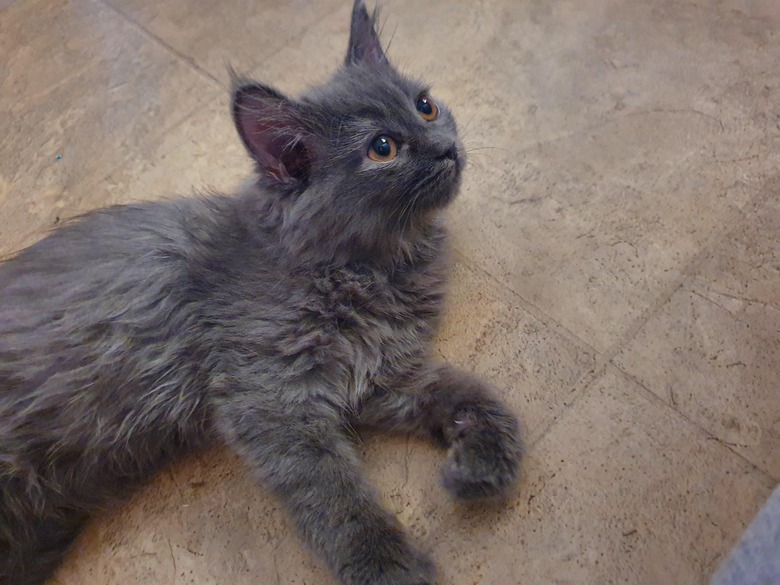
{"x": 484, "y": 457}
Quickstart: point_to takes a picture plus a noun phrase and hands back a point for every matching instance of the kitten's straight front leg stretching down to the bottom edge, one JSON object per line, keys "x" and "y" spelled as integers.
{"x": 302, "y": 454}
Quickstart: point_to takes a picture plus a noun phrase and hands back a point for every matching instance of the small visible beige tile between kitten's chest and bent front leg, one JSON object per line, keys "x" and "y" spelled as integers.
{"x": 533, "y": 364}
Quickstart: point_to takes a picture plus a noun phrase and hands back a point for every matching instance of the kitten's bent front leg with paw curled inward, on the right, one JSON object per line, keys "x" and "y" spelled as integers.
{"x": 461, "y": 411}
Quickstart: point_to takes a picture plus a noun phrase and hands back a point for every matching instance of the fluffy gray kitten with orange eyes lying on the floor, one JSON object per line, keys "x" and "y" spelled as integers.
{"x": 274, "y": 321}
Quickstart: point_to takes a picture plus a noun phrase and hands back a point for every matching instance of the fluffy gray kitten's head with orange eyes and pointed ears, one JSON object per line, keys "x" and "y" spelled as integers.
{"x": 367, "y": 154}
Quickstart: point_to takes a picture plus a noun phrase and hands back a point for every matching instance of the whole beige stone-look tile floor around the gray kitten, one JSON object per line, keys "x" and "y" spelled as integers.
{"x": 618, "y": 262}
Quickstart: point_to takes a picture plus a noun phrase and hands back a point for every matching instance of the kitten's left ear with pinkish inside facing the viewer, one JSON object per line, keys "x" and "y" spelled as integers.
{"x": 270, "y": 126}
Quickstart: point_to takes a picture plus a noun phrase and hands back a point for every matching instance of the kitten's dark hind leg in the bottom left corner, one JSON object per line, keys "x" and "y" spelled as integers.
{"x": 44, "y": 505}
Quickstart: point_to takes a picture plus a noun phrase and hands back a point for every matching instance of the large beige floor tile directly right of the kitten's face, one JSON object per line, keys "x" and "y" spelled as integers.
{"x": 605, "y": 155}
